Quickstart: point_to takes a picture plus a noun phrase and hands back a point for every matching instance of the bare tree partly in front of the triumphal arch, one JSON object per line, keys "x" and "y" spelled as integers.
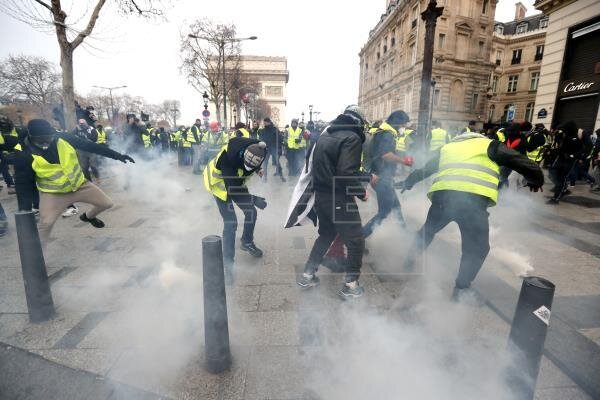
{"x": 202, "y": 59}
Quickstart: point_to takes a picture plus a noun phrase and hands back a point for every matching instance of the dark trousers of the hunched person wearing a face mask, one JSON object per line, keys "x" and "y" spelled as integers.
{"x": 227, "y": 211}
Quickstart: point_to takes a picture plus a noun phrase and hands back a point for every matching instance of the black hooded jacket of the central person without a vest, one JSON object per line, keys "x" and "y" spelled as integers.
{"x": 337, "y": 159}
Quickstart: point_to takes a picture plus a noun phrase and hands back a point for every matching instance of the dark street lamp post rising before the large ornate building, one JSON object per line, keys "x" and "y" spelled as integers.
{"x": 430, "y": 16}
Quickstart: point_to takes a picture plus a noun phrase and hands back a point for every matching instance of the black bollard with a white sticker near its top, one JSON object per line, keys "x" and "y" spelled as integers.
{"x": 528, "y": 334}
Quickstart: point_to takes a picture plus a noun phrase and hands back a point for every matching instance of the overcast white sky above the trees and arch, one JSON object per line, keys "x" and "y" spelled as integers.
{"x": 320, "y": 38}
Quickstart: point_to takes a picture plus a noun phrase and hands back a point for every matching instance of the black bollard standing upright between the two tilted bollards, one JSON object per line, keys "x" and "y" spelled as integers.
{"x": 216, "y": 328}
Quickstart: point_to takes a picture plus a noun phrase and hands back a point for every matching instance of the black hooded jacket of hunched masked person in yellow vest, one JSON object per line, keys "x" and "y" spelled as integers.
{"x": 231, "y": 161}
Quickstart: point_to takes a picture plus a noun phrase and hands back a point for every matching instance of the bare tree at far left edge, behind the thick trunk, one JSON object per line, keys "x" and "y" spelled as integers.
{"x": 31, "y": 80}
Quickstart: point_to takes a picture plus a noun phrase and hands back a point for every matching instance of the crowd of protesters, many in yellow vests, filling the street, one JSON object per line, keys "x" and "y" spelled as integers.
{"x": 332, "y": 167}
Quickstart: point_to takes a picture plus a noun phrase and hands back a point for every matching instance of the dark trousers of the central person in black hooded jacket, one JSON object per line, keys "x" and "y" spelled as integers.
{"x": 338, "y": 214}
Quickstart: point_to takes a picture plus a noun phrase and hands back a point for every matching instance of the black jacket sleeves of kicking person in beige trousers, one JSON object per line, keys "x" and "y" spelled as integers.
{"x": 24, "y": 174}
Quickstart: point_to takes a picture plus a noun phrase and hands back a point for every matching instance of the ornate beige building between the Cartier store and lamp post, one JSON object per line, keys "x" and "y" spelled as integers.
{"x": 517, "y": 53}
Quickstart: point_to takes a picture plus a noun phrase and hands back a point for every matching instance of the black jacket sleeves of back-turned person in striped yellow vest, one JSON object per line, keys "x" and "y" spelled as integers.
{"x": 498, "y": 153}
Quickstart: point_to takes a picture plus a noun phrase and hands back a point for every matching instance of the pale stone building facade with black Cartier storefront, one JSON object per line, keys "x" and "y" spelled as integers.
{"x": 569, "y": 87}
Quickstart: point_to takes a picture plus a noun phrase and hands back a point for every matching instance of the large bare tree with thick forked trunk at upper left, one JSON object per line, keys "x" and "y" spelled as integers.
{"x": 43, "y": 13}
